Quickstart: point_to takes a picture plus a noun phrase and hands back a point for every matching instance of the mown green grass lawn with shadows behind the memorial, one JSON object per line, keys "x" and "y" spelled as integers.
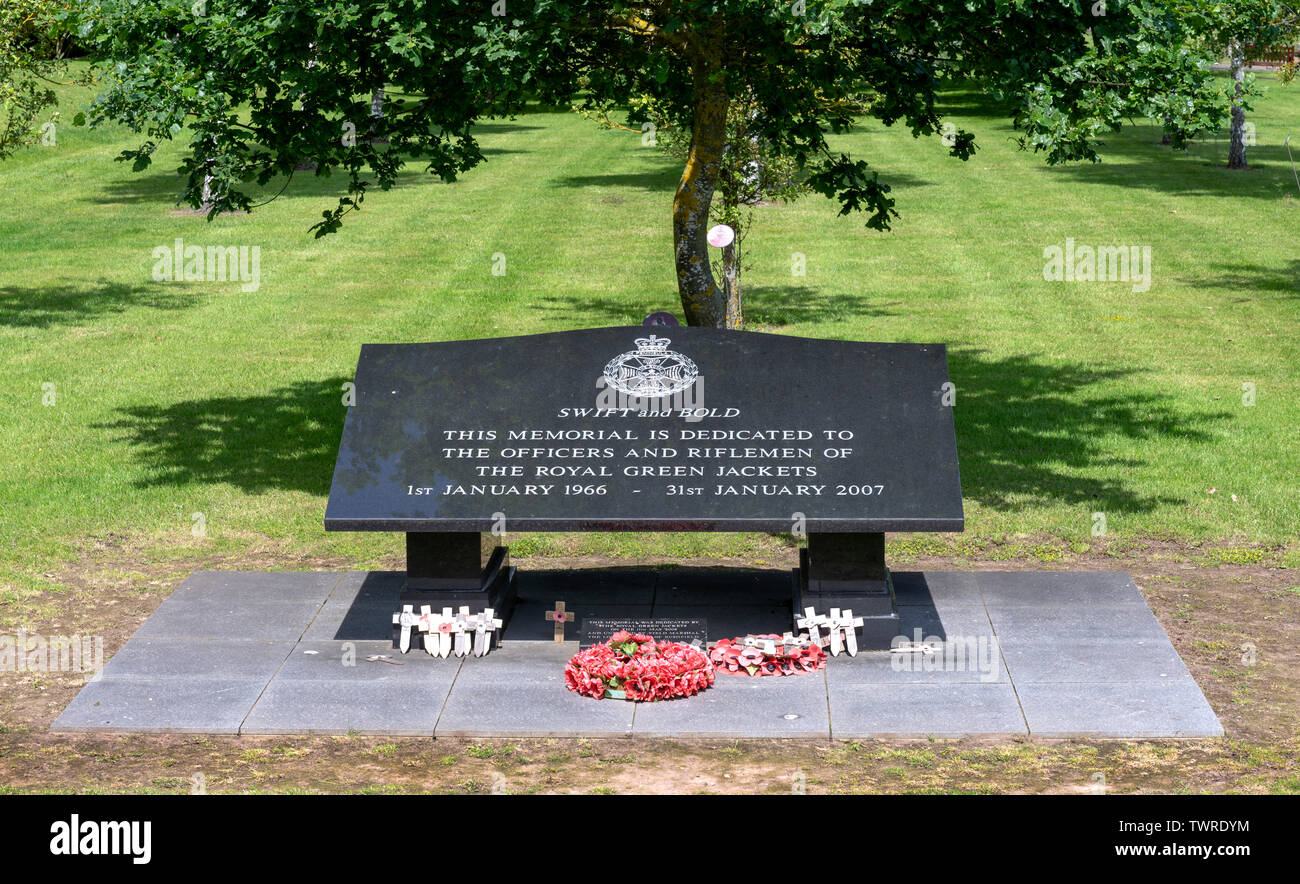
{"x": 1073, "y": 398}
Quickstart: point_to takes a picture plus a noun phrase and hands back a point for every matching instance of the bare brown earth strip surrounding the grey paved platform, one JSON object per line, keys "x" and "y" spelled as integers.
{"x": 1236, "y": 626}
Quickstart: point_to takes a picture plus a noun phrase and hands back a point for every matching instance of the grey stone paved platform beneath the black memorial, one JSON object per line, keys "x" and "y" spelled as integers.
{"x": 1052, "y": 655}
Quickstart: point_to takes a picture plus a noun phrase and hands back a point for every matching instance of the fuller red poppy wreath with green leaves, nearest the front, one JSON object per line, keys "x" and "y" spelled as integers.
{"x": 639, "y": 669}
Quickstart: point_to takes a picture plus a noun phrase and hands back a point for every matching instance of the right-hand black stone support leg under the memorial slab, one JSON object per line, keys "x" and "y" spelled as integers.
{"x": 848, "y": 571}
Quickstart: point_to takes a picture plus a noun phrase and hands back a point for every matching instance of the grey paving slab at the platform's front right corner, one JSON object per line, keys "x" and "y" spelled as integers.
{"x": 1177, "y": 709}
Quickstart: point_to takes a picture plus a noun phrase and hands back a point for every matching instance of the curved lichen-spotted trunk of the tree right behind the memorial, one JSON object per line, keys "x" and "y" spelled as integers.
{"x": 704, "y": 302}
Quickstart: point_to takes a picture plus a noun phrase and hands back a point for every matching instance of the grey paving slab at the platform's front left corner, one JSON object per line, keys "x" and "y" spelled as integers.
{"x": 162, "y": 705}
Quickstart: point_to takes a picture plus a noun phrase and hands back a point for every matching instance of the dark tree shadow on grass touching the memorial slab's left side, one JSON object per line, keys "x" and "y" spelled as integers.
{"x": 284, "y": 440}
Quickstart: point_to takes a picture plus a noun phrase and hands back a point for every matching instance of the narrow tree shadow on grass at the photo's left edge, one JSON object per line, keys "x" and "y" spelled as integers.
{"x": 41, "y": 307}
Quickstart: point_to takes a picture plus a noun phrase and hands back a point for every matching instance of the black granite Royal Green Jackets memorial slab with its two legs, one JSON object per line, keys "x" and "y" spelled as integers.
{"x": 651, "y": 430}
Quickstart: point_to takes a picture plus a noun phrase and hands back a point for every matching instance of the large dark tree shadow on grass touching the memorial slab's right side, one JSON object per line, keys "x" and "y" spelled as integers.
{"x": 1026, "y": 428}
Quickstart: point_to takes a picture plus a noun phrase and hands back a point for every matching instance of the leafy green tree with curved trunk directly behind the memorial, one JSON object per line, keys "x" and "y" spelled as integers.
{"x": 267, "y": 85}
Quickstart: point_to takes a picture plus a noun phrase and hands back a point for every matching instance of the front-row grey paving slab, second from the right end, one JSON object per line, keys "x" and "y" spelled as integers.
{"x": 925, "y": 710}
